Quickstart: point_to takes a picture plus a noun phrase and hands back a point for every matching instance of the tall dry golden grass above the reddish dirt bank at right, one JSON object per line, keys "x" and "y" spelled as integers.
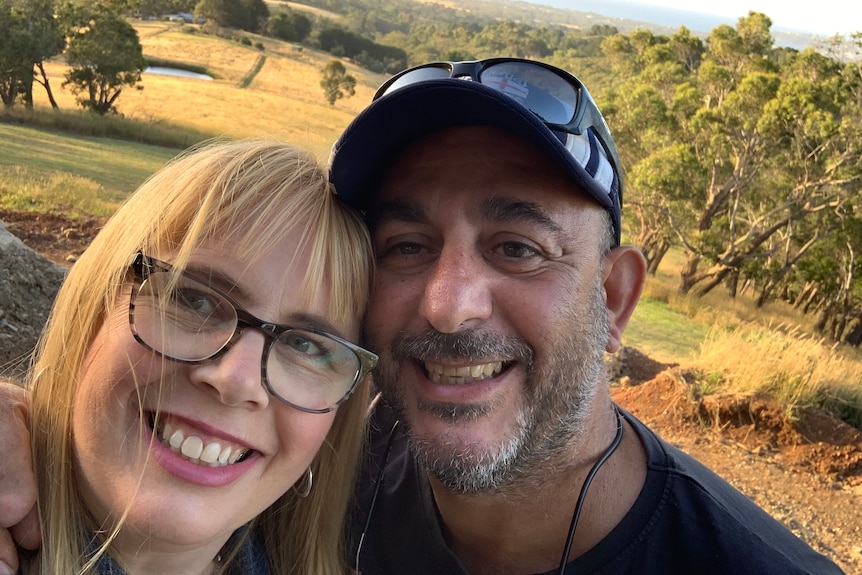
{"x": 763, "y": 351}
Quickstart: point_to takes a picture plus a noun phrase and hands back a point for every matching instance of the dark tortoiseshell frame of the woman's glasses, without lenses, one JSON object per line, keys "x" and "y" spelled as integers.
{"x": 144, "y": 265}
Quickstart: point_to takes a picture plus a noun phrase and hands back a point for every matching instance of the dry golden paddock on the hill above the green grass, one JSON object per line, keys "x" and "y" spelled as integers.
{"x": 284, "y": 100}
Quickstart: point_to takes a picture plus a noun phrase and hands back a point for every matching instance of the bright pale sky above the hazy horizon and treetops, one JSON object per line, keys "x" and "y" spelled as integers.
{"x": 821, "y": 17}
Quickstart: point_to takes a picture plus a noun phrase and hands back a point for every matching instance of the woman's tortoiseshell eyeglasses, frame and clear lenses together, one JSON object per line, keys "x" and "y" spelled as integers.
{"x": 182, "y": 318}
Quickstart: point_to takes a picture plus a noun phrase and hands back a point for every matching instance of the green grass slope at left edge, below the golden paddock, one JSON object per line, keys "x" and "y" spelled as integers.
{"x": 45, "y": 170}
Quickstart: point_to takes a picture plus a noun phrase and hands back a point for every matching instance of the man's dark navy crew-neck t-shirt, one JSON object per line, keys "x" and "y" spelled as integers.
{"x": 686, "y": 520}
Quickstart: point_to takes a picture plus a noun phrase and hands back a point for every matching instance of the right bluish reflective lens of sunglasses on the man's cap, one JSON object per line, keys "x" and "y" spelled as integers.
{"x": 549, "y": 96}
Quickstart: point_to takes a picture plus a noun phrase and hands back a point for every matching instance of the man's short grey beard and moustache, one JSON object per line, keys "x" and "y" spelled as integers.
{"x": 558, "y": 399}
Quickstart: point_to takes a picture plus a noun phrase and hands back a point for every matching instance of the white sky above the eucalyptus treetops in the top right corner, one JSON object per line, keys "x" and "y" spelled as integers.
{"x": 825, "y": 17}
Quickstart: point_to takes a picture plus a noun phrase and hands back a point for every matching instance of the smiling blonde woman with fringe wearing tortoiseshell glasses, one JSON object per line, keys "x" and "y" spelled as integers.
{"x": 169, "y": 422}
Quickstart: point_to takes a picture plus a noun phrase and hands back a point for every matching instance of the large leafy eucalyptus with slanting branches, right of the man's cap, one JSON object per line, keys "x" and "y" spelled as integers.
{"x": 744, "y": 163}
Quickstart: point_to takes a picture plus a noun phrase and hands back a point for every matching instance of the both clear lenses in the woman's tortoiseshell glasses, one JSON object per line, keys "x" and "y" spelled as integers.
{"x": 185, "y": 320}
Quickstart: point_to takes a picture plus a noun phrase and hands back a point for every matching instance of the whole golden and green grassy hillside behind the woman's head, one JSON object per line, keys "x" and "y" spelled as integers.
{"x": 270, "y": 93}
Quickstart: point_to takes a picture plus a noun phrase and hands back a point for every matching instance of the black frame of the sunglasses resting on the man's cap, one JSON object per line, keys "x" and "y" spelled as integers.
{"x": 586, "y": 113}
